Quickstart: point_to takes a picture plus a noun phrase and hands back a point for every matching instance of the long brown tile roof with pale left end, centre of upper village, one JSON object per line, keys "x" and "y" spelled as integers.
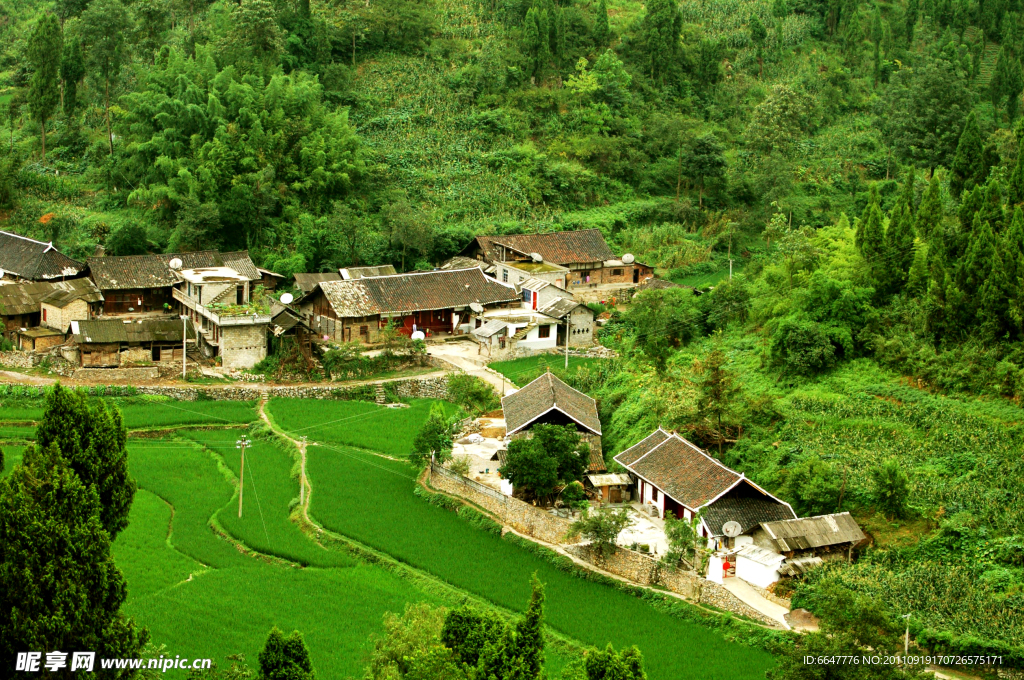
{"x": 423, "y": 291}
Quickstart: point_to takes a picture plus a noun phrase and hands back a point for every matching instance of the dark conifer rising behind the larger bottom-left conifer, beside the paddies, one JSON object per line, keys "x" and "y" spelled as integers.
{"x": 94, "y": 442}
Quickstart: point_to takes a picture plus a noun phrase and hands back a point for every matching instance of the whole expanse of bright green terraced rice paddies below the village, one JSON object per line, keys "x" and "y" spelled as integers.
{"x": 197, "y": 587}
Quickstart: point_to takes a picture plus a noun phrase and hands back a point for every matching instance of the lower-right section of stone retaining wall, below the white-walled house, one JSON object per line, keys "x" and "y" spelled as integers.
{"x": 648, "y": 572}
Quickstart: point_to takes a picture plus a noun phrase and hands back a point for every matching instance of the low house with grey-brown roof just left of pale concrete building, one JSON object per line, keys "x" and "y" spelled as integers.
{"x": 111, "y": 344}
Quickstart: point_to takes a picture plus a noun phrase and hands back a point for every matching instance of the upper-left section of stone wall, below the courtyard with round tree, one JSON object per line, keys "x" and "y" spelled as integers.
{"x": 513, "y": 513}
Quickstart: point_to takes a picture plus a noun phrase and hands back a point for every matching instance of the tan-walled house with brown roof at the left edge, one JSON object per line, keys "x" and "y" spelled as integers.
{"x": 54, "y": 305}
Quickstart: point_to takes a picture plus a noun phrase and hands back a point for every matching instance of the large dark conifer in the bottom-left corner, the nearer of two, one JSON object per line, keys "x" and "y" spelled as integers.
{"x": 60, "y": 588}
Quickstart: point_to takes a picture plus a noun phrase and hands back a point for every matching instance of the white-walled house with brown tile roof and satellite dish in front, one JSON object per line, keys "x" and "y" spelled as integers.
{"x": 675, "y": 477}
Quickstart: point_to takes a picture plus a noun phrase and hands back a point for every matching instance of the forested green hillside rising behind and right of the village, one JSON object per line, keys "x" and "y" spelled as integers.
{"x": 858, "y": 160}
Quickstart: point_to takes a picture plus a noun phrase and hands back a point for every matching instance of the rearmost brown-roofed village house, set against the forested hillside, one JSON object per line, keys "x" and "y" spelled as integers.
{"x": 585, "y": 254}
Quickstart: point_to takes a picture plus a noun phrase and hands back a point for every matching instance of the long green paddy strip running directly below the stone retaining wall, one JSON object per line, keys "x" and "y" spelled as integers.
{"x": 372, "y": 500}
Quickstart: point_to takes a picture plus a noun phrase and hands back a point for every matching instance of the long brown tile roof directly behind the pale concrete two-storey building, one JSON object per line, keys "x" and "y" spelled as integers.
{"x": 132, "y": 272}
